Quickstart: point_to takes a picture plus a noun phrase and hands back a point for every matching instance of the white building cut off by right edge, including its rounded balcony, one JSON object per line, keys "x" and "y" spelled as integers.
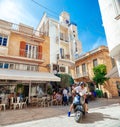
{"x": 110, "y": 10}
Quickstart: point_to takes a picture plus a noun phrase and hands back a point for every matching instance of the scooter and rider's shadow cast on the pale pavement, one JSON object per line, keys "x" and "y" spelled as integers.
{"x": 94, "y": 117}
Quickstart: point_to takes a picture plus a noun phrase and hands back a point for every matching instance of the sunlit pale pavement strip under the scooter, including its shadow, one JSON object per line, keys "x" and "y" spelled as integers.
{"x": 97, "y": 117}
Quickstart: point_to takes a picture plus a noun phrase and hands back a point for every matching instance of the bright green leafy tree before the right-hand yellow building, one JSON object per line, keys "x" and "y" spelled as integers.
{"x": 99, "y": 74}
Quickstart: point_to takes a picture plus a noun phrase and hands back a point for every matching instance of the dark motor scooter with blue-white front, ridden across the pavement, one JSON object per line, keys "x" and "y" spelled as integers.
{"x": 78, "y": 107}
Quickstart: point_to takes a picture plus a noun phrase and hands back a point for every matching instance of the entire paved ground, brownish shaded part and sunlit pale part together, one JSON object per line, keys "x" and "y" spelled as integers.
{"x": 102, "y": 112}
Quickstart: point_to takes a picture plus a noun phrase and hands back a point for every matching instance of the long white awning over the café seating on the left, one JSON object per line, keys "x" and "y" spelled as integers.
{"x": 6, "y": 74}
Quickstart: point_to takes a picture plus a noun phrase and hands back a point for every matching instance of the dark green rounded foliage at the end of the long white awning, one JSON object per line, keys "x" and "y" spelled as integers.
{"x": 66, "y": 80}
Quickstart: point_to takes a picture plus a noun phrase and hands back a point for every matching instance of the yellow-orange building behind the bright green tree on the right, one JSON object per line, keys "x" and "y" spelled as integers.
{"x": 84, "y": 69}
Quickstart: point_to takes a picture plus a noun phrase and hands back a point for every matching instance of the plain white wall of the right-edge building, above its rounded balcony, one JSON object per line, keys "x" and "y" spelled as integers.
{"x": 111, "y": 25}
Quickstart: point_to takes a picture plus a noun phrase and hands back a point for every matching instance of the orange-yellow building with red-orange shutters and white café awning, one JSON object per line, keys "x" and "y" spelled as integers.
{"x": 24, "y": 59}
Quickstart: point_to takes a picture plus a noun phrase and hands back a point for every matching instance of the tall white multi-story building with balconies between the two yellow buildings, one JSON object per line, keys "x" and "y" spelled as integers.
{"x": 64, "y": 43}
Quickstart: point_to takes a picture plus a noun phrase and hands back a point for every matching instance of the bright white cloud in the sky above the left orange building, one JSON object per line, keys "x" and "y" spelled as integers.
{"x": 15, "y": 11}
